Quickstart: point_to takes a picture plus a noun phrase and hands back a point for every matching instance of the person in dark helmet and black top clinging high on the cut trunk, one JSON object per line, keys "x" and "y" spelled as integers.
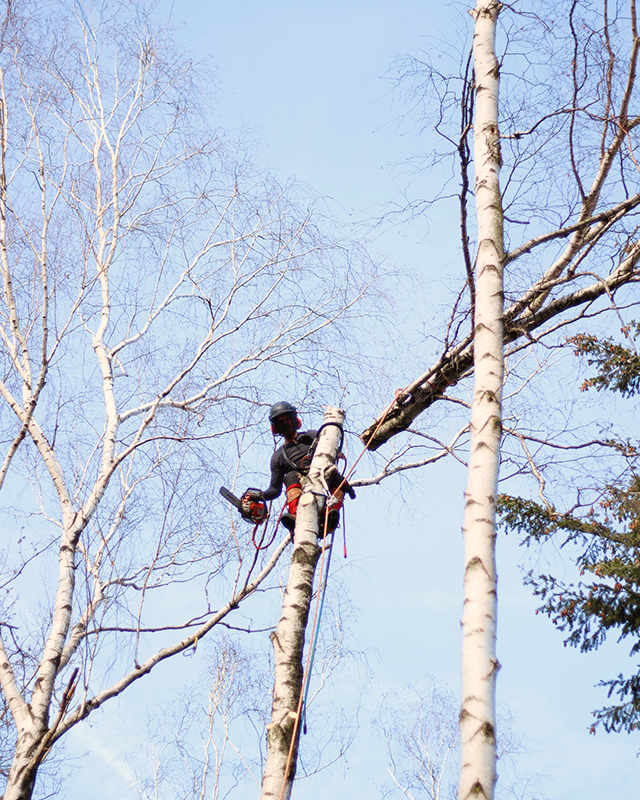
{"x": 290, "y": 466}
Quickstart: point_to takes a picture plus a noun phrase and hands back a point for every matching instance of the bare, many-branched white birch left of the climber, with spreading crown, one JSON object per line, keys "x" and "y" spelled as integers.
{"x": 150, "y": 278}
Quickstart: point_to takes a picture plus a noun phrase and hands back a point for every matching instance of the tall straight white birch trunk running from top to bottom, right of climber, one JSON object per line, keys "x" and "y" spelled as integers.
{"x": 479, "y": 663}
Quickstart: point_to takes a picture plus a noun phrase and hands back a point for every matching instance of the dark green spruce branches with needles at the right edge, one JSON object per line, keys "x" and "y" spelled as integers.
{"x": 607, "y": 598}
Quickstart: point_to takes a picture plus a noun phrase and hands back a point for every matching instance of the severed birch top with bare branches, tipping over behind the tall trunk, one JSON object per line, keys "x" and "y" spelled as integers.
{"x": 568, "y": 136}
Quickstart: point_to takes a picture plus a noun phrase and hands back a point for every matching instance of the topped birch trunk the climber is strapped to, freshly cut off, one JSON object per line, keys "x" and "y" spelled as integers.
{"x": 289, "y": 636}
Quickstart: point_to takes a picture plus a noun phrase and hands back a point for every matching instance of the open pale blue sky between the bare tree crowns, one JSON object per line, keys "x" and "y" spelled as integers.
{"x": 310, "y": 80}
